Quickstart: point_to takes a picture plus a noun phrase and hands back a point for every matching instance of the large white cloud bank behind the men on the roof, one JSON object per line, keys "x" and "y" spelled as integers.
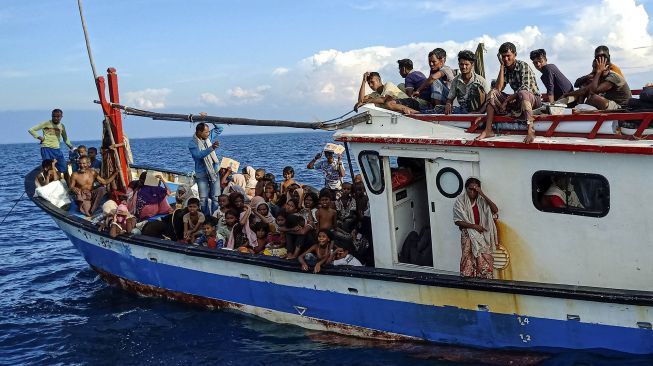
{"x": 333, "y": 77}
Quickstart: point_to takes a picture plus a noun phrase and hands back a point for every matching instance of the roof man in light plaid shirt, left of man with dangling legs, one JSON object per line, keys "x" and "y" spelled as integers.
{"x": 468, "y": 87}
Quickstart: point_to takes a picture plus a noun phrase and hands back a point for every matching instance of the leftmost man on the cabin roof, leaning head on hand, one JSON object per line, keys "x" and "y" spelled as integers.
{"x": 386, "y": 95}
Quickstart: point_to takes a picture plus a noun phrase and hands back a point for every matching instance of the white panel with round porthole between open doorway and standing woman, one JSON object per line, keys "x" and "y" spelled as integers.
{"x": 445, "y": 180}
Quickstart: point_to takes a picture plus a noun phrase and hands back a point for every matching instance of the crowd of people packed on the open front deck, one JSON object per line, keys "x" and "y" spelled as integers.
{"x": 248, "y": 211}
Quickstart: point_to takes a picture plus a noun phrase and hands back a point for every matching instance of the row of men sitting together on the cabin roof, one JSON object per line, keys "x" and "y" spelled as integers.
{"x": 604, "y": 88}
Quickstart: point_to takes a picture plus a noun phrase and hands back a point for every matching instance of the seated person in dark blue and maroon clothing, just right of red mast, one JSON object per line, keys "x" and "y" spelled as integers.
{"x": 146, "y": 201}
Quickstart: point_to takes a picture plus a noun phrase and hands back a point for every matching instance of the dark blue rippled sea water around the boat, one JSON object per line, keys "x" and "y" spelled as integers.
{"x": 55, "y": 310}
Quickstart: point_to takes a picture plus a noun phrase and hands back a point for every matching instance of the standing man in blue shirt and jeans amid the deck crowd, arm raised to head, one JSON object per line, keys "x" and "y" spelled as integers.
{"x": 206, "y": 167}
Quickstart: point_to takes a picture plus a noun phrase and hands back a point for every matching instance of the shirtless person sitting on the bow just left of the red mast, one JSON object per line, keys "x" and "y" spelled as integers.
{"x": 81, "y": 184}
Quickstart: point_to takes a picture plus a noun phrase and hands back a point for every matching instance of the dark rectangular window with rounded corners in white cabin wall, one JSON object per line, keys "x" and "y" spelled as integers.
{"x": 571, "y": 193}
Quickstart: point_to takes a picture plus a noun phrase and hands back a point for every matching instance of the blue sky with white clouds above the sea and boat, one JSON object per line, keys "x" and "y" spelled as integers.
{"x": 275, "y": 59}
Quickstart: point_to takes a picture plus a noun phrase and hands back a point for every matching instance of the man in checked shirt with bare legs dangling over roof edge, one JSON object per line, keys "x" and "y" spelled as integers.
{"x": 526, "y": 95}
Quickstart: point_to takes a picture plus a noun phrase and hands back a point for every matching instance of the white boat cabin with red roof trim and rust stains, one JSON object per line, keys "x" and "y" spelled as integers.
{"x": 414, "y": 168}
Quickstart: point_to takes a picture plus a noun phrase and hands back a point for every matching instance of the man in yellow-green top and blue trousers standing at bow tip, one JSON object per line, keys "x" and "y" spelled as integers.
{"x": 53, "y": 132}
